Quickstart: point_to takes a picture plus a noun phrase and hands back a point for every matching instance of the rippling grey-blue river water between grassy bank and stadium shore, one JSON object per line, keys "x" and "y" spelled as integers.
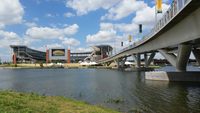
{"x": 120, "y": 90}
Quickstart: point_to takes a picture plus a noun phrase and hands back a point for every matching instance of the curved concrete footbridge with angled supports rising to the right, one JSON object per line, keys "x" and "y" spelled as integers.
{"x": 175, "y": 36}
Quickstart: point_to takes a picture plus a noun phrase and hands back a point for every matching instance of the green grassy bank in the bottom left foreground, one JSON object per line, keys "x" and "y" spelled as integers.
{"x": 15, "y": 102}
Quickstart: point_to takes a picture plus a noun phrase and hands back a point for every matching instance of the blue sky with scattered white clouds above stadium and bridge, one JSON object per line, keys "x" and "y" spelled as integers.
{"x": 74, "y": 24}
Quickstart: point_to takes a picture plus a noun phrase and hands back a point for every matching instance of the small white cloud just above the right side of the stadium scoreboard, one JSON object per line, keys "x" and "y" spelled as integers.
{"x": 71, "y": 42}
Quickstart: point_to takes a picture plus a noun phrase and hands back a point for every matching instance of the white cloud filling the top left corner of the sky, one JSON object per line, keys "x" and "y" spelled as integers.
{"x": 11, "y": 12}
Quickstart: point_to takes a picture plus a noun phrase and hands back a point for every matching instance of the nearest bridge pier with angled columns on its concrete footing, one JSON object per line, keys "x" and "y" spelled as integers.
{"x": 180, "y": 62}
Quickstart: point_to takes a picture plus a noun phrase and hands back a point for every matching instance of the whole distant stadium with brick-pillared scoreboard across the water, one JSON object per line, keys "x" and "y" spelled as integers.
{"x": 23, "y": 54}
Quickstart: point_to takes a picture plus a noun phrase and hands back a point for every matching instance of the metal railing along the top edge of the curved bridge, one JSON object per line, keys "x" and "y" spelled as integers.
{"x": 176, "y": 7}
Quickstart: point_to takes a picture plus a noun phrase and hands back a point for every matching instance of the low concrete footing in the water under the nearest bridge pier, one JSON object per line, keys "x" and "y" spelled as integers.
{"x": 173, "y": 76}
